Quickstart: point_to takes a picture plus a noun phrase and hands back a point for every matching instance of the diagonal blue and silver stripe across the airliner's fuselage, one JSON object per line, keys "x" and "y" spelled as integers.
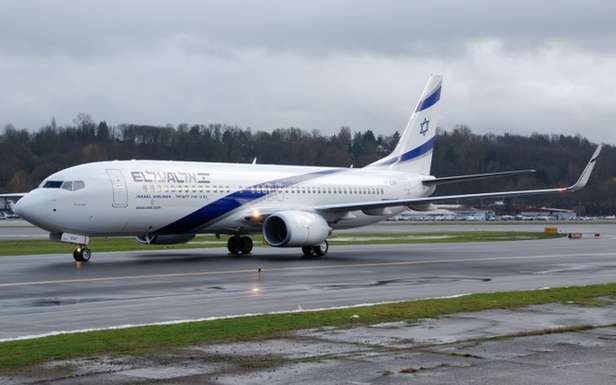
{"x": 230, "y": 202}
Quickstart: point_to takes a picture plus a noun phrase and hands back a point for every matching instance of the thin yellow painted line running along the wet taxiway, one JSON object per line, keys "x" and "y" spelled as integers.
{"x": 298, "y": 268}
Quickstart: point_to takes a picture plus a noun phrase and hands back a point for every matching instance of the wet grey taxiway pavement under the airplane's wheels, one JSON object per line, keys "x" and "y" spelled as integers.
{"x": 46, "y": 293}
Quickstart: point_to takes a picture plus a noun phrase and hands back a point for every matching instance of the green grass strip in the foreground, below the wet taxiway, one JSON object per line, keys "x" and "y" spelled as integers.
{"x": 149, "y": 339}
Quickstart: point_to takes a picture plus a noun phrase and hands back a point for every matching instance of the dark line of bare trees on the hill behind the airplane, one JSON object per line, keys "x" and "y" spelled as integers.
{"x": 30, "y": 156}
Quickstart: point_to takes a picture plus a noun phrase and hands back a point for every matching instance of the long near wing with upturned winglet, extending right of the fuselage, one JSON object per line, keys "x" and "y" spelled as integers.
{"x": 580, "y": 184}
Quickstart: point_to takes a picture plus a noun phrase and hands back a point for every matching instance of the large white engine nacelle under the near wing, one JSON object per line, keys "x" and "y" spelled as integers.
{"x": 295, "y": 228}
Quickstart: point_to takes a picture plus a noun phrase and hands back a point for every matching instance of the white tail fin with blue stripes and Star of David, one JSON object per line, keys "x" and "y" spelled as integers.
{"x": 413, "y": 153}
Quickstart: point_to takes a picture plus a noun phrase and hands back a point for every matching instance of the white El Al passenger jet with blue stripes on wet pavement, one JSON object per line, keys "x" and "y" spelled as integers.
{"x": 169, "y": 202}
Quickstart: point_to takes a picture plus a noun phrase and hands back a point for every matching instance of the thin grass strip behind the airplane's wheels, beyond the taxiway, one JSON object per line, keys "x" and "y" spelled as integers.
{"x": 26, "y": 247}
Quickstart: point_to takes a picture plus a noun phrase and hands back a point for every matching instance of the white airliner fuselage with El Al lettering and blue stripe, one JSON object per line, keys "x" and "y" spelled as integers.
{"x": 168, "y": 197}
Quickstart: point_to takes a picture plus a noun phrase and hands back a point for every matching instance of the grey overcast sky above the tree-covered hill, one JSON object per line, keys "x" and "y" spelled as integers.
{"x": 518, "y": 67}
